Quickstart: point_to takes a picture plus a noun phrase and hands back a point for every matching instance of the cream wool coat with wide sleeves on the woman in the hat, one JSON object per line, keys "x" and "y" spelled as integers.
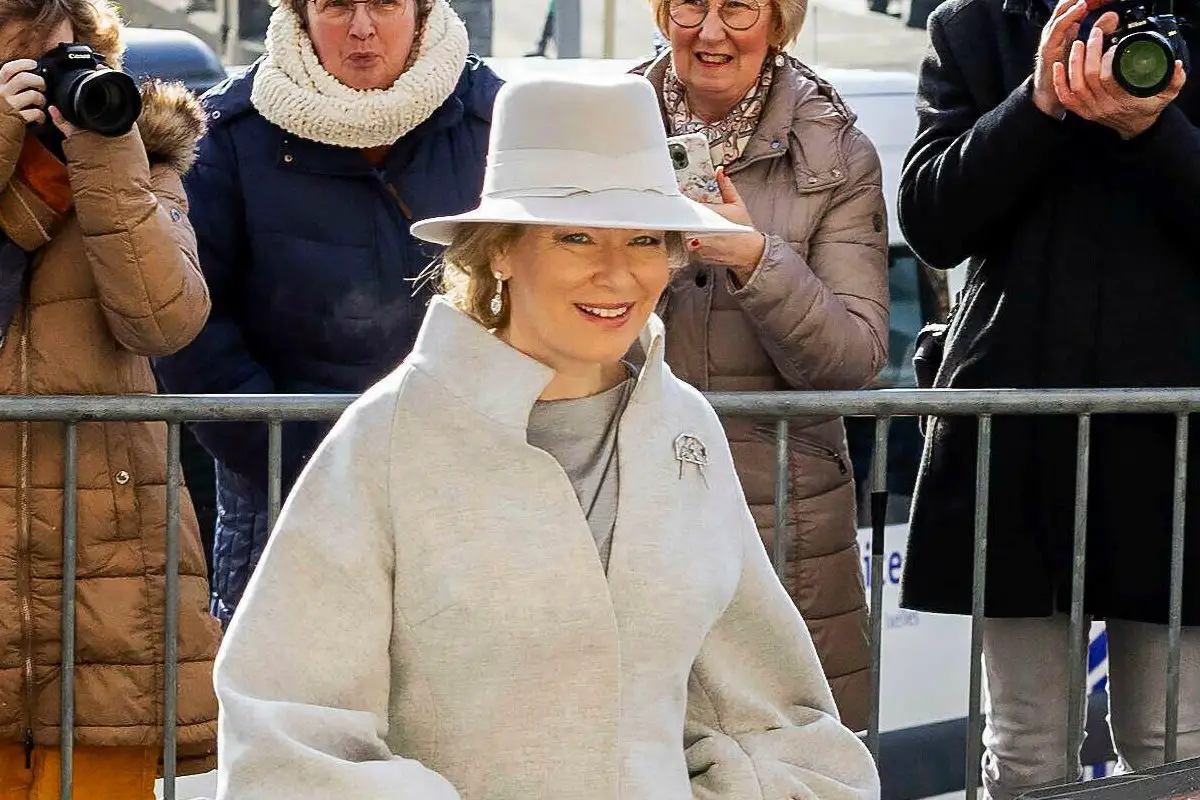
{"x": 431, "y": 621}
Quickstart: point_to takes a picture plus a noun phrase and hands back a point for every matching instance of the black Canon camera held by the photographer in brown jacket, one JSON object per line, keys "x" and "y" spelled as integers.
{"x": 89, "y": 93}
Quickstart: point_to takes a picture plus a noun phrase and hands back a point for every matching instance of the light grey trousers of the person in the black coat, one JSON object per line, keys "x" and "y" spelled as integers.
{"x": 1027, "y": 677}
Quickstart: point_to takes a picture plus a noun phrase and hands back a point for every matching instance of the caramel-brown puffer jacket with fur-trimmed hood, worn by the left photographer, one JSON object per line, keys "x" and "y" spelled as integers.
{"x": 112, "y": 282}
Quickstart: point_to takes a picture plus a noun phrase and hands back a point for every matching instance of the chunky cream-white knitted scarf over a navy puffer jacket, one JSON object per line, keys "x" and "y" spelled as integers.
{"x": 296, "y": 93}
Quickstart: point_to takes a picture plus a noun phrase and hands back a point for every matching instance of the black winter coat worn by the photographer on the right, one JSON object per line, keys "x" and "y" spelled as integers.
{"x": 1085, "y": 273}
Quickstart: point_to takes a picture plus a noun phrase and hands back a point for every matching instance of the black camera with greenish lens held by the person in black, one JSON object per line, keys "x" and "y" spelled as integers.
{"x": 1148, "y": 44}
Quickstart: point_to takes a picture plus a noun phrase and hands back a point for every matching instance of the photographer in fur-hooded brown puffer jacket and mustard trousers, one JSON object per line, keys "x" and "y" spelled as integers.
{"x": 98, "y": 273}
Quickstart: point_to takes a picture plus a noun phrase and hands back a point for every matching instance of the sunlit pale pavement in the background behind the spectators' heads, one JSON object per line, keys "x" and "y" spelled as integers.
{"x": 837, "y": 33}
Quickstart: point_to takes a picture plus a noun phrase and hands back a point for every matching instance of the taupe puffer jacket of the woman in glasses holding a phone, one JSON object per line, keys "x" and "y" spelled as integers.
{"x": 813, "y": 316}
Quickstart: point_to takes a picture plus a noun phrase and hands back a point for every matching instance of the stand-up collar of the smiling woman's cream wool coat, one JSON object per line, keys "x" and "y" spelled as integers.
{"x": 500, "y": 382}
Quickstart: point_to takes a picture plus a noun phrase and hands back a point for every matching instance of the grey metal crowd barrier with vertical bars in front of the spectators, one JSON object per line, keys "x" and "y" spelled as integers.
{"x": 884, "y": 406}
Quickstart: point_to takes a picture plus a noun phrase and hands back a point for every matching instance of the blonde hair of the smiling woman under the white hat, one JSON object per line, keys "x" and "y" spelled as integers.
{"x": 466, "y": 272}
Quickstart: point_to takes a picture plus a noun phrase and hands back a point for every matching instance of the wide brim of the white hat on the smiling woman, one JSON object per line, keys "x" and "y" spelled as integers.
{"x": 617, "y": 209}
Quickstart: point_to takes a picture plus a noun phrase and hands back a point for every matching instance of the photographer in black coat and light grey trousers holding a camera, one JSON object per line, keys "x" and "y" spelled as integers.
{"x": 1071, "y": 191}
